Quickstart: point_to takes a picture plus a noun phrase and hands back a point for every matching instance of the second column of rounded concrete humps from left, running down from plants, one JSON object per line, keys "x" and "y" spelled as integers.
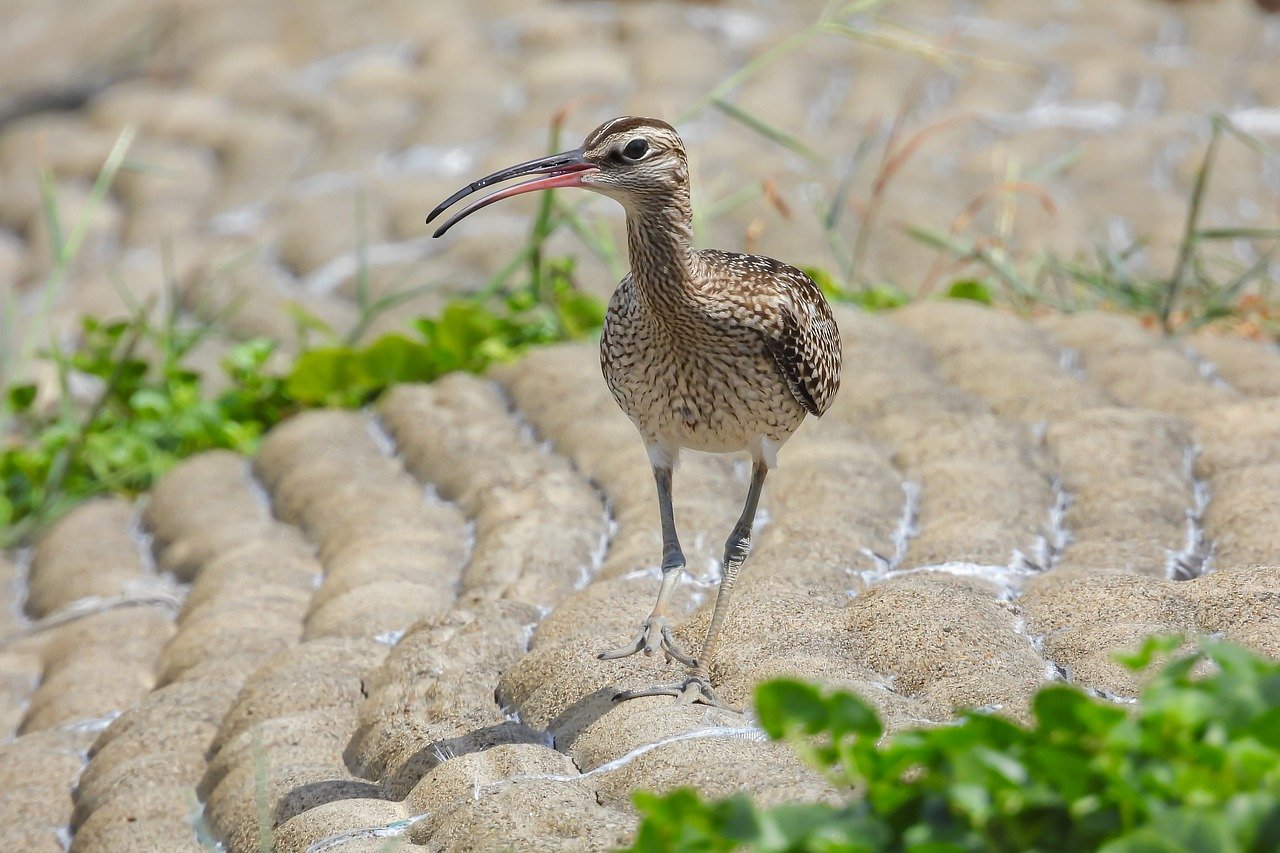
{"x": 252, "y": 583}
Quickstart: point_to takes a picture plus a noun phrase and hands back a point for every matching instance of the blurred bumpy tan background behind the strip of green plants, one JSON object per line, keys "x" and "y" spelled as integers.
{"x": 271, "y": 165}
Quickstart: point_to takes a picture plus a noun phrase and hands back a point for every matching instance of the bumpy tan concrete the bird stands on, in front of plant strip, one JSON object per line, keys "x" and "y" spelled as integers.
{"x": 386, "y": 623}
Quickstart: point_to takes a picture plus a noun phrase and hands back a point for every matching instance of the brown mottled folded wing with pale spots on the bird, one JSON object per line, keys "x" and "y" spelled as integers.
{"x": 793, "y": 318}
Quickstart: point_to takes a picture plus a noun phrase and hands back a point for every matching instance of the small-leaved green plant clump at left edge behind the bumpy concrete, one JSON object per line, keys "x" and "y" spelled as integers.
{"x": 144, "y": 416}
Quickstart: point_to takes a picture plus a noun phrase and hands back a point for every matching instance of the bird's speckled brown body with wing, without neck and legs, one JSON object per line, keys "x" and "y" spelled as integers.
{"x": 749, "y": 350}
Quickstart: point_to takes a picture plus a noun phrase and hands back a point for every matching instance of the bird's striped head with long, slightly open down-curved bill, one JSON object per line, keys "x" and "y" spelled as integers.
{"x": 637, "y": 162}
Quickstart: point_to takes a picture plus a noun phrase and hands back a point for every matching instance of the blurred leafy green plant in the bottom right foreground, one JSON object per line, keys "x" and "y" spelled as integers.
{"x": 1195, "y": 767}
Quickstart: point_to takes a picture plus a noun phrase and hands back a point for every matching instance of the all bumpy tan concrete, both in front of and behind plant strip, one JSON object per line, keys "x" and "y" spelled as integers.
{"x": 382, "y": 631}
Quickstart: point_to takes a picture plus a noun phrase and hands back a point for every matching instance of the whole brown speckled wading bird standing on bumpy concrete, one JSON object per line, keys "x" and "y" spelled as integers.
{"x": 703, "y": 350}
